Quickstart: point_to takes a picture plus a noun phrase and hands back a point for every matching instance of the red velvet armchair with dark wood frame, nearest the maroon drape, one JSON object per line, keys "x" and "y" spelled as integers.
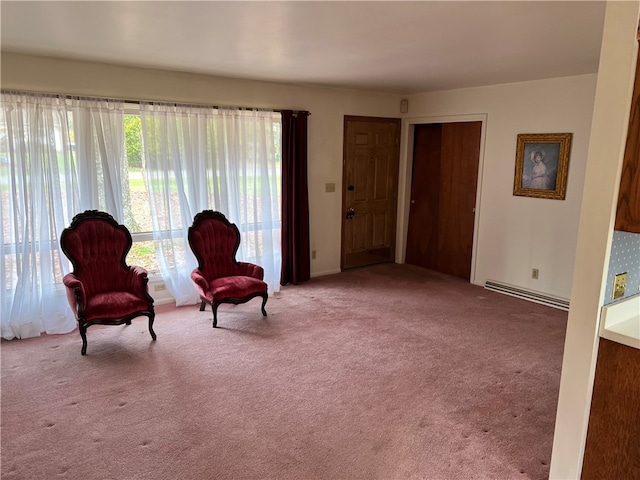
{"x": 220, "y": 278}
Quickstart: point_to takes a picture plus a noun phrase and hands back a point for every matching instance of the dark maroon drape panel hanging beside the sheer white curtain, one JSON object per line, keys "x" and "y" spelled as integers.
{"x": 296, "y": 267}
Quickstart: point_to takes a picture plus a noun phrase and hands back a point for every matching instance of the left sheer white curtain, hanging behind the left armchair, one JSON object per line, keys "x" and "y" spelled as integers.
{"x": 42, "y": 187}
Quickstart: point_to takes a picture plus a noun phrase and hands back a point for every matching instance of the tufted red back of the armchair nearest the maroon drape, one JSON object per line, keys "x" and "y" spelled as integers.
{"x": 214, "y": 241}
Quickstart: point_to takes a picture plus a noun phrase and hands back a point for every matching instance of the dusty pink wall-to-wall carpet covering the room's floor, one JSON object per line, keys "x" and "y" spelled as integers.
{"x": 389, "y": 372}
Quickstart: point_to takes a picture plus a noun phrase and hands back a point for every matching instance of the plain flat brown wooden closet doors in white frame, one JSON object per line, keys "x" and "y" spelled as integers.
{"x": 443, "y": 197}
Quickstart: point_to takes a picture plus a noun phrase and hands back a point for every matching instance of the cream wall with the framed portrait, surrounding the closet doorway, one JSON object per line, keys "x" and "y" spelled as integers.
{"x": 516, "y": 234}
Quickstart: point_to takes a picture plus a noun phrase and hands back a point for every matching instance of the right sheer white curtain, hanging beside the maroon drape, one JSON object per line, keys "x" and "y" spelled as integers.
{"x": 201, "y": 158}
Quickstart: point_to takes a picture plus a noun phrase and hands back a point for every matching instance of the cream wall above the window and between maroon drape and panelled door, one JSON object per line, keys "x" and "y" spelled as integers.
{"x": 327, "y": 107}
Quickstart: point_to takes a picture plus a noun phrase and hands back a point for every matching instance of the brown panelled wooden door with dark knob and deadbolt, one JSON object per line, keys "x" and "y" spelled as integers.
{"x": 370, "y": 186}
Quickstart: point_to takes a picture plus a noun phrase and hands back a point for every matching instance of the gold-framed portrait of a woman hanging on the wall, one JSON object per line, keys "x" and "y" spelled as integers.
{"x": 542, "y": 164}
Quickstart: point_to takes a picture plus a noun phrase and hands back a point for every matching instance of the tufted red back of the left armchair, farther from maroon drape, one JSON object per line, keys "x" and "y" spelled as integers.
{"x": 97, "y": 247}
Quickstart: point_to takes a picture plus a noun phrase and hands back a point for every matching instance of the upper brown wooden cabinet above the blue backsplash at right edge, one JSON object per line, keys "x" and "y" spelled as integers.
{"x": 628, "y": 212}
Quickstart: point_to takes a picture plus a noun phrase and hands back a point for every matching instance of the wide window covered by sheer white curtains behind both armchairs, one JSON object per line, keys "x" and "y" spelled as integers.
{"x": 152, "y": 166}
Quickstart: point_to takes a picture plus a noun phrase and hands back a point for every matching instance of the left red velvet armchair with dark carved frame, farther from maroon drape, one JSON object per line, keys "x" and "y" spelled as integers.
{"x": 102, "y": 289}
